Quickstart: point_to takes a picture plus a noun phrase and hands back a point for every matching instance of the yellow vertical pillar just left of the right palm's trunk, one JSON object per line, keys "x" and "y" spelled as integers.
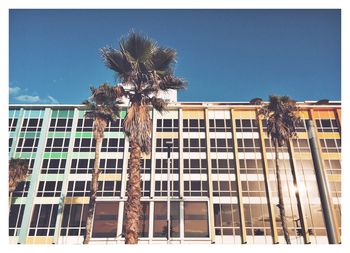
{"x": 267, "y": 185}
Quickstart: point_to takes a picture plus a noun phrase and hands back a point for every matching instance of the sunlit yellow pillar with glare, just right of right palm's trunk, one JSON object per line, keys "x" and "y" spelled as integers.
{"x": 303, "y": 223}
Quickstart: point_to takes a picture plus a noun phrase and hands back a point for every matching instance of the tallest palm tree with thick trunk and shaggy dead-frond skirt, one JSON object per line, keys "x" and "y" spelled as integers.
{"x": 144, "y": 69}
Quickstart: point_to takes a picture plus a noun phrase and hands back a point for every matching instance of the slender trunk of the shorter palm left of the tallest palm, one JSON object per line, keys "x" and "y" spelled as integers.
{"x": 93, "y": 192}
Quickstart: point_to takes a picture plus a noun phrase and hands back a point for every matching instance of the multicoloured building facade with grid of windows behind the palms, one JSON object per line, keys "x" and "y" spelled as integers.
{"x": 220, "y": 172}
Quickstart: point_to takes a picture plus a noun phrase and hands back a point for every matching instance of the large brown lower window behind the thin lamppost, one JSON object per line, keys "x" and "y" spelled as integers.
{"x": 160, "y": 228}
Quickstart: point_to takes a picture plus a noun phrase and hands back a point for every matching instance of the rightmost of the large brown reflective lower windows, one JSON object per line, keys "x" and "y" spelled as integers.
{"x": 196, "y": 219}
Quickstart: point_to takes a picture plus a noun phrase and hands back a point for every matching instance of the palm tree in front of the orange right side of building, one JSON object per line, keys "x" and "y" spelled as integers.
{"x": 281, "y": 116}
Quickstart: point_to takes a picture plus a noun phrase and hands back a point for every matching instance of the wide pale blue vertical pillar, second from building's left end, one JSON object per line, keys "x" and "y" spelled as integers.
{"x": 34, "y": 178}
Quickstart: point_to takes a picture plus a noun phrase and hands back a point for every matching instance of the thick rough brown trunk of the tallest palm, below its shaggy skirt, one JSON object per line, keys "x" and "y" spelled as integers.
{"x": 133, "y": 206}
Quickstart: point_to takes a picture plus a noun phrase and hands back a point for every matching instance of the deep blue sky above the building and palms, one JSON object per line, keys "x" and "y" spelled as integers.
{"x": 225, "y": 55}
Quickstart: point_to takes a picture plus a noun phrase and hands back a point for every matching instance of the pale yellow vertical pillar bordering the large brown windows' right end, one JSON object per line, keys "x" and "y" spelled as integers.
{"x": 210, "y": 179}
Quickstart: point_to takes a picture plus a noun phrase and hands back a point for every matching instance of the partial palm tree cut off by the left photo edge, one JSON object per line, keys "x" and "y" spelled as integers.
{"x": 18, "y": 169}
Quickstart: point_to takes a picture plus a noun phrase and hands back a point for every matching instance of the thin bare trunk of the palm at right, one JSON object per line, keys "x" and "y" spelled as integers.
{"x": 280, "y": 197}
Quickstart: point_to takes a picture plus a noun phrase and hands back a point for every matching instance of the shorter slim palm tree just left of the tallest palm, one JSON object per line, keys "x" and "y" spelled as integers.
{"x": 103, "y": 108}
